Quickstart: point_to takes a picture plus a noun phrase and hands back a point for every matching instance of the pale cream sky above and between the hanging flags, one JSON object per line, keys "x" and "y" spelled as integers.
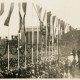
{"x": 67, "y": 10}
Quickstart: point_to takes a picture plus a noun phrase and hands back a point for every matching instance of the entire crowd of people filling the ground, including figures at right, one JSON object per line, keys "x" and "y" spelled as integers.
{"x": 47, "y": 69}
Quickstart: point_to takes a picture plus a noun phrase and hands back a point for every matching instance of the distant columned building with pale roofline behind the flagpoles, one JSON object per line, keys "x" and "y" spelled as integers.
{"x": 29, "y": 35}
